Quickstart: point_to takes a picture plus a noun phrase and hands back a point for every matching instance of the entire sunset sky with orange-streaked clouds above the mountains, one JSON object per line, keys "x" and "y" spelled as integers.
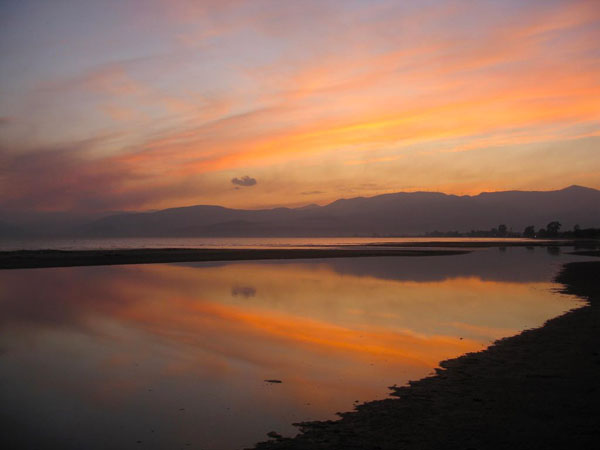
{"x": 137, "y": 105}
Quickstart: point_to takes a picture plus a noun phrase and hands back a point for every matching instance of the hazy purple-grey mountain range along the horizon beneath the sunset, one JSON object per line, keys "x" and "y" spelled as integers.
{"x": 401, "y": 213}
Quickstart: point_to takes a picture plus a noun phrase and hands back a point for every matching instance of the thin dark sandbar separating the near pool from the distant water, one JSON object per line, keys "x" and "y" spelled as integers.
{"x": 25, "y": 259}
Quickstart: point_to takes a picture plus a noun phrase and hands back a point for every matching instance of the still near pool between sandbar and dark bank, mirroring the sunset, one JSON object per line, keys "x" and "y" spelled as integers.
{"x": 169, "y": 355}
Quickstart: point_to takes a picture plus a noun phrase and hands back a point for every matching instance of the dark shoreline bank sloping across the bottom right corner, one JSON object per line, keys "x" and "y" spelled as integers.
{"x": 537, "y": 390}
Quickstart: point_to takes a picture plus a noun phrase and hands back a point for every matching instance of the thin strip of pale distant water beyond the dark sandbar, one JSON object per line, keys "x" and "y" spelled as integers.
{"x": 121, "y": 243}
